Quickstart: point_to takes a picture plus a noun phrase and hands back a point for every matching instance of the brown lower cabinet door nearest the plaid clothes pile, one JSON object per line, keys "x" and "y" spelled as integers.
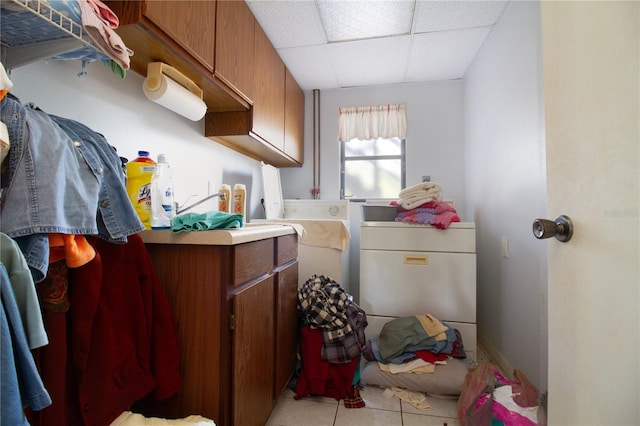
{"x": 286, "y": 326}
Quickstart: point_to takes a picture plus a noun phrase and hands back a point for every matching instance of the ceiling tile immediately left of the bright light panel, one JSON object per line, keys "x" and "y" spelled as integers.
{"x": 289, "y": 23}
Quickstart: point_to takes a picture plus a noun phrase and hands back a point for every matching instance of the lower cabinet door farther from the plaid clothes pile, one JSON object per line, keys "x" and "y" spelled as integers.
{"x": 253, "y": 353}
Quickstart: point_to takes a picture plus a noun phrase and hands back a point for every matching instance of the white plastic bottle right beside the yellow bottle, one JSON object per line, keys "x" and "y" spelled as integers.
{"x": 162, "y": 206}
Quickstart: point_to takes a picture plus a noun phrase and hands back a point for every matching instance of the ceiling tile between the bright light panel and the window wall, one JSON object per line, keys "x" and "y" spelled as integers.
{"x": 370, "y": 62}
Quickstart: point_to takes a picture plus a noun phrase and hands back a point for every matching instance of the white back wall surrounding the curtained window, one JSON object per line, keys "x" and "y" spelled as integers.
{"x": 434, "y": 146}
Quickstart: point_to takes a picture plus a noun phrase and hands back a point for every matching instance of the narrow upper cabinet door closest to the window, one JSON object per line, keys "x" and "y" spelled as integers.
{"x": 294, "y": 119}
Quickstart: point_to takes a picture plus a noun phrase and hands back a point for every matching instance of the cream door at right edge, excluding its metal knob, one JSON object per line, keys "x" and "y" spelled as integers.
{"x": 591, "y": 73}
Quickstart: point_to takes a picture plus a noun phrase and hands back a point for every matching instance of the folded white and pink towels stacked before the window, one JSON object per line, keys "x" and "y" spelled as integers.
{"x": 422, "y": 204}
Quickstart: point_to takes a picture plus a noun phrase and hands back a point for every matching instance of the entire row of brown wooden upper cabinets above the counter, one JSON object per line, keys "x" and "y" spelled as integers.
{"x": 253, "y": 105}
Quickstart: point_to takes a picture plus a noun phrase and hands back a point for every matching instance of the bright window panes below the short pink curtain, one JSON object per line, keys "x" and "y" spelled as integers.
{"x": 373, "y": 168}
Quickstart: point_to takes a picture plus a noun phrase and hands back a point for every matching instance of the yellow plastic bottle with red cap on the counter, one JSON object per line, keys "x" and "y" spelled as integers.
{"x": 139, "y": 173}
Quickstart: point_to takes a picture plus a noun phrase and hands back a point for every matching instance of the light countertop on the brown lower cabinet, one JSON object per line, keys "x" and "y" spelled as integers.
{"x": 224, "y": 237}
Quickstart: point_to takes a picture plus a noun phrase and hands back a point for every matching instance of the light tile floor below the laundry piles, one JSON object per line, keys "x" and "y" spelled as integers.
{"x": 379, "y": 410}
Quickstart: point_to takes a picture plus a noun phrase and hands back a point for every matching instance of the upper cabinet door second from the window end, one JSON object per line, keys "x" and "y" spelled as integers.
{"x": 269, "y": 91}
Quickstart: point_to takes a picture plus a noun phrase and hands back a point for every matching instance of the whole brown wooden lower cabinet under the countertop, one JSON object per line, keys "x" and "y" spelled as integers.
{"x": 235, "y": 313}
